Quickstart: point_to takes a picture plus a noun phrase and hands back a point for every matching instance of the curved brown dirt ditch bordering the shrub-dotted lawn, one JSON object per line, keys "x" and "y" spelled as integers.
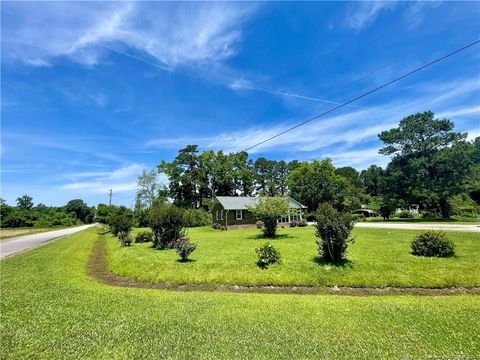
{"x": 98, "y": 268}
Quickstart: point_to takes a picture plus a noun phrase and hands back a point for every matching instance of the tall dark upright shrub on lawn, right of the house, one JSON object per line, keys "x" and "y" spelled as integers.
{"x": 333, "y": 229}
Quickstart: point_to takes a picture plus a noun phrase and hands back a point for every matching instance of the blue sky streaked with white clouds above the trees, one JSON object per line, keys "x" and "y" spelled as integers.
{"x": 92, "y": 93}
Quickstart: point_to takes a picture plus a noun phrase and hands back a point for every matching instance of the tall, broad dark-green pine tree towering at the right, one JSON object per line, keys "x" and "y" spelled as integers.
{"x": 431, "y": 162}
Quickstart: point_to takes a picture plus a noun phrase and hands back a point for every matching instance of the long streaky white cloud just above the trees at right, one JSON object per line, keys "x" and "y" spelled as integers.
{"x": 345, "y": 130}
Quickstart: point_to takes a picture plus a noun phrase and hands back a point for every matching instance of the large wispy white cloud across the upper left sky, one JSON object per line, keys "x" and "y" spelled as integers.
{"x": 169, "y": 34}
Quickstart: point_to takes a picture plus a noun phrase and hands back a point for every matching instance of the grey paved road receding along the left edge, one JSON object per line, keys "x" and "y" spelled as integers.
{"x": 9, "y": 247}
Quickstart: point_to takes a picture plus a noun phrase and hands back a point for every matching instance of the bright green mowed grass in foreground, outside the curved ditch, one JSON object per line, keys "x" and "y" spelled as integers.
{"x": 50, "y": 309}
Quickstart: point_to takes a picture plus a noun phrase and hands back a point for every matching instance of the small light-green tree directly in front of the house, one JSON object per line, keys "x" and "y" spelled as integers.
{"x": 269, "y": 210}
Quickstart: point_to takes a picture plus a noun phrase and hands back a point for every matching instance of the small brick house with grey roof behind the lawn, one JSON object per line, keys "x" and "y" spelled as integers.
{"x": 234, "y": 210}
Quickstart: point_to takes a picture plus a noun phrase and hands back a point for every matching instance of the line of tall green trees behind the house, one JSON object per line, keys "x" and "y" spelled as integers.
{"x": 431, "y": 165}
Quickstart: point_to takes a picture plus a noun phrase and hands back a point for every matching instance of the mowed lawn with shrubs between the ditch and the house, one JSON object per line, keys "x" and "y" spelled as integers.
{"x": 378, "y": 258}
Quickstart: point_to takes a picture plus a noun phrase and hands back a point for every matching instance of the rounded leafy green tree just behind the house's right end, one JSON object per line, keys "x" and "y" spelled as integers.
{"x": 316, "y": 182}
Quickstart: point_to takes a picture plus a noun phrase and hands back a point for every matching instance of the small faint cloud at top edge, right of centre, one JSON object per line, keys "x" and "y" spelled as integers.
{"x": 362, "y": 14}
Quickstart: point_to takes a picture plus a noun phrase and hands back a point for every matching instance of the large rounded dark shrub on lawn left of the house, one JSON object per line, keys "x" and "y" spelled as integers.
{"x": 167, "y": 223}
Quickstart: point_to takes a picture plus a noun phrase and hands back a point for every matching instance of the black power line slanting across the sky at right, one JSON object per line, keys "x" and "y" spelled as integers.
{"x": 364, "y": 94}
